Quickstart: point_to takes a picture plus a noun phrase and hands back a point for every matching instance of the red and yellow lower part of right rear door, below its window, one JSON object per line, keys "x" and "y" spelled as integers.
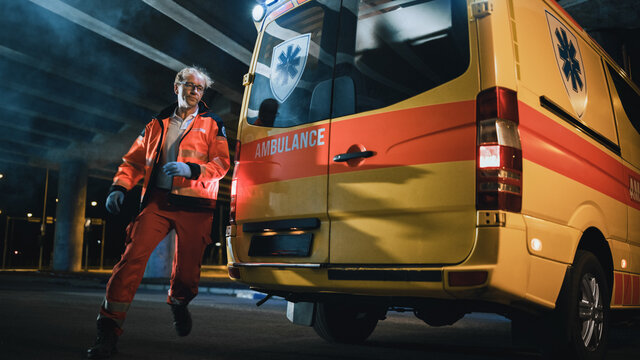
{"x": 413, "y": 201}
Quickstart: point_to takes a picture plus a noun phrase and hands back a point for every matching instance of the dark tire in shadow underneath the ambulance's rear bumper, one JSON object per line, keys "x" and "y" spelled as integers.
{"x": 345, "y": 323}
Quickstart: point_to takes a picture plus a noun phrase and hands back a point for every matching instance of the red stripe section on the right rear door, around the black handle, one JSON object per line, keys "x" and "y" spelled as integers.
{"x": 424, "y": 135}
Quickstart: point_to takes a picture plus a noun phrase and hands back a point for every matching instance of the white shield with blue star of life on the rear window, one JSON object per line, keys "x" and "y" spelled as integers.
{"x": 287, "y": 65}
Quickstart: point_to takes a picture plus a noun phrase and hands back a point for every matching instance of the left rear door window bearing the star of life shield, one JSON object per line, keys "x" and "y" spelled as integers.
{"x": 292, "y": 82}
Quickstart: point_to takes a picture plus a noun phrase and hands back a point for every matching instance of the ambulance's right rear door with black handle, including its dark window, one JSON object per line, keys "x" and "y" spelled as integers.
{"x": 403, "y": 135}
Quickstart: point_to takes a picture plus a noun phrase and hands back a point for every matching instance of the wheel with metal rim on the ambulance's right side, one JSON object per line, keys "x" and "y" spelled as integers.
{"x": 582, "y": 314}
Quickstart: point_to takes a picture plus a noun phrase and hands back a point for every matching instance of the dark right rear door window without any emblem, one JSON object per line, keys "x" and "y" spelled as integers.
{"x": 390, "y": 51}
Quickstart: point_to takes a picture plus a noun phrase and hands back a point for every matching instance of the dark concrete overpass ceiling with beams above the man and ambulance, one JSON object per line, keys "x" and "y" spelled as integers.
{"x": 82, "y": 77}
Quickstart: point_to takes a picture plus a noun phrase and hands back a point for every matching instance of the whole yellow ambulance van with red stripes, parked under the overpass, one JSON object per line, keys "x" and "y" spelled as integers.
{"x": 442, "y": 156}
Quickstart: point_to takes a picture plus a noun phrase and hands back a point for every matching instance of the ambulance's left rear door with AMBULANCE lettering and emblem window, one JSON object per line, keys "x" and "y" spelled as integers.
{"x": 282, "y": 173}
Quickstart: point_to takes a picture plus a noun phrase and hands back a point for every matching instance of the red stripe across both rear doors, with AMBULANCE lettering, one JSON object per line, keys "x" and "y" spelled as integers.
{"x": 436, "y": 133}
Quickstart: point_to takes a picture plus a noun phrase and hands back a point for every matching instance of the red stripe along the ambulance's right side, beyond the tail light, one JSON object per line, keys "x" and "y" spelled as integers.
{"x": 557, "y": 148}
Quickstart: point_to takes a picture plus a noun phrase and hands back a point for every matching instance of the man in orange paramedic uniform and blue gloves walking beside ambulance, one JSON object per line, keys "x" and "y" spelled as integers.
{"x": 181, "y": 155}
